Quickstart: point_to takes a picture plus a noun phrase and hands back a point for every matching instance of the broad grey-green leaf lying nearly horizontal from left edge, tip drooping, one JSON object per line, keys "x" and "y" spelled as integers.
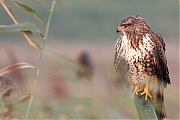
{"x": 20, "y": 27}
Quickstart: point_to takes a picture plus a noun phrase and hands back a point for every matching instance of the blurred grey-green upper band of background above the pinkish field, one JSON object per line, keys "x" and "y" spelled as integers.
{"x": 98, "y": 20}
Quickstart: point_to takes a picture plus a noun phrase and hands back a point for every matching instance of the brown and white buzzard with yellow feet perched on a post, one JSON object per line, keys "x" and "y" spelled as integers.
{"x": 141, "y": 61}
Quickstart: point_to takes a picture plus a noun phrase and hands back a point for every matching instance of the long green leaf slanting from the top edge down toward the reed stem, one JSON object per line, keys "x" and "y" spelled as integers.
{"x": 30, "y": 11}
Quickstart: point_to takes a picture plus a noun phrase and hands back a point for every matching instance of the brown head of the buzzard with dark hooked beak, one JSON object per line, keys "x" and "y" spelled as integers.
{"x": 131, "y": 24}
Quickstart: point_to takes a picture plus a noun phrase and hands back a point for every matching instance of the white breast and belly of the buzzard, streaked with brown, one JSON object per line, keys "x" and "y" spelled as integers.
{"x": 139, "y": 59}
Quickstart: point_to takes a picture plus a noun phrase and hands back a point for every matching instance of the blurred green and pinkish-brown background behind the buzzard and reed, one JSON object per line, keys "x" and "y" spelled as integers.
{"x": 83, "y": 32}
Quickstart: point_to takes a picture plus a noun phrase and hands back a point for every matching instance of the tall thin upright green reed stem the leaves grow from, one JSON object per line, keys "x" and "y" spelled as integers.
{"x": 41, "y": 54}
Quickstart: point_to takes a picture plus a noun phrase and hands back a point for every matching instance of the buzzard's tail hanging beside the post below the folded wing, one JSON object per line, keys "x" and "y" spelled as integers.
{"x": 159, "y": 107}
